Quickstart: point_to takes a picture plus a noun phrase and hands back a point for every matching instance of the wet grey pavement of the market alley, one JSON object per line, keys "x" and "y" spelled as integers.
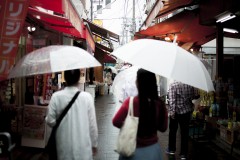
{"x": 105, "y": 109}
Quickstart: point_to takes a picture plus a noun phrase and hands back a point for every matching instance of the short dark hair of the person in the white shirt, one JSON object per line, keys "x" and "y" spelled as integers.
{"x": 72, "y": 76}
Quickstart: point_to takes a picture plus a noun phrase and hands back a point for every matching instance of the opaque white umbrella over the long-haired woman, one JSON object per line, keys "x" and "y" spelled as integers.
{"x": 168, "y": 60}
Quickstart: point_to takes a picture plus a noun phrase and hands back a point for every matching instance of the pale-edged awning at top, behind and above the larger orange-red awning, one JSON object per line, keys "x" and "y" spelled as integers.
{"x": 163, "y": 7}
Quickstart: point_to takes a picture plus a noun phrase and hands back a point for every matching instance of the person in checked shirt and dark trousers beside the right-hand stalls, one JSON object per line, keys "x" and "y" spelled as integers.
{"x": 180, "y": 108}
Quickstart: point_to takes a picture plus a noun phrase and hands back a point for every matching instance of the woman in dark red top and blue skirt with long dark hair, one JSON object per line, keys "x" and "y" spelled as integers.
{"x": 152, "y": 115}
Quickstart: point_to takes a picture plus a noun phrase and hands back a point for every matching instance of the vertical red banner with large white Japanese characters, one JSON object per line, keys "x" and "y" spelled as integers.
{"x": 13, "y": 14}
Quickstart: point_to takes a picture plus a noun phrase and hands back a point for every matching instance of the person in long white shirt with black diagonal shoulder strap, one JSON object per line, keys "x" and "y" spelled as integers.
{"x": 77, "y": 134}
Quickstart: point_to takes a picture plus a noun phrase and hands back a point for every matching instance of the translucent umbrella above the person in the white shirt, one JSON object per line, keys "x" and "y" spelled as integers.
{"x": 51, "y": 59}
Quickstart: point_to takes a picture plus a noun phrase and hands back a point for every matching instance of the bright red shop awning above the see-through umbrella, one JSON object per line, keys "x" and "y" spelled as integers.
{"x": 61, "y": 17}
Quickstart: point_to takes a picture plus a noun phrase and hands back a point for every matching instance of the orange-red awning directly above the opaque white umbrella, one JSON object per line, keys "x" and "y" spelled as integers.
{"x": 184, "y": 25}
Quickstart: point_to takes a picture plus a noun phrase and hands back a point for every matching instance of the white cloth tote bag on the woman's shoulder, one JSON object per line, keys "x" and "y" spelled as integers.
{"x": 126, "y": 142}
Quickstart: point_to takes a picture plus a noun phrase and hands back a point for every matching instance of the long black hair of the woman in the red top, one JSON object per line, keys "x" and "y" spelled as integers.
{"x": 148, "y": 94}
